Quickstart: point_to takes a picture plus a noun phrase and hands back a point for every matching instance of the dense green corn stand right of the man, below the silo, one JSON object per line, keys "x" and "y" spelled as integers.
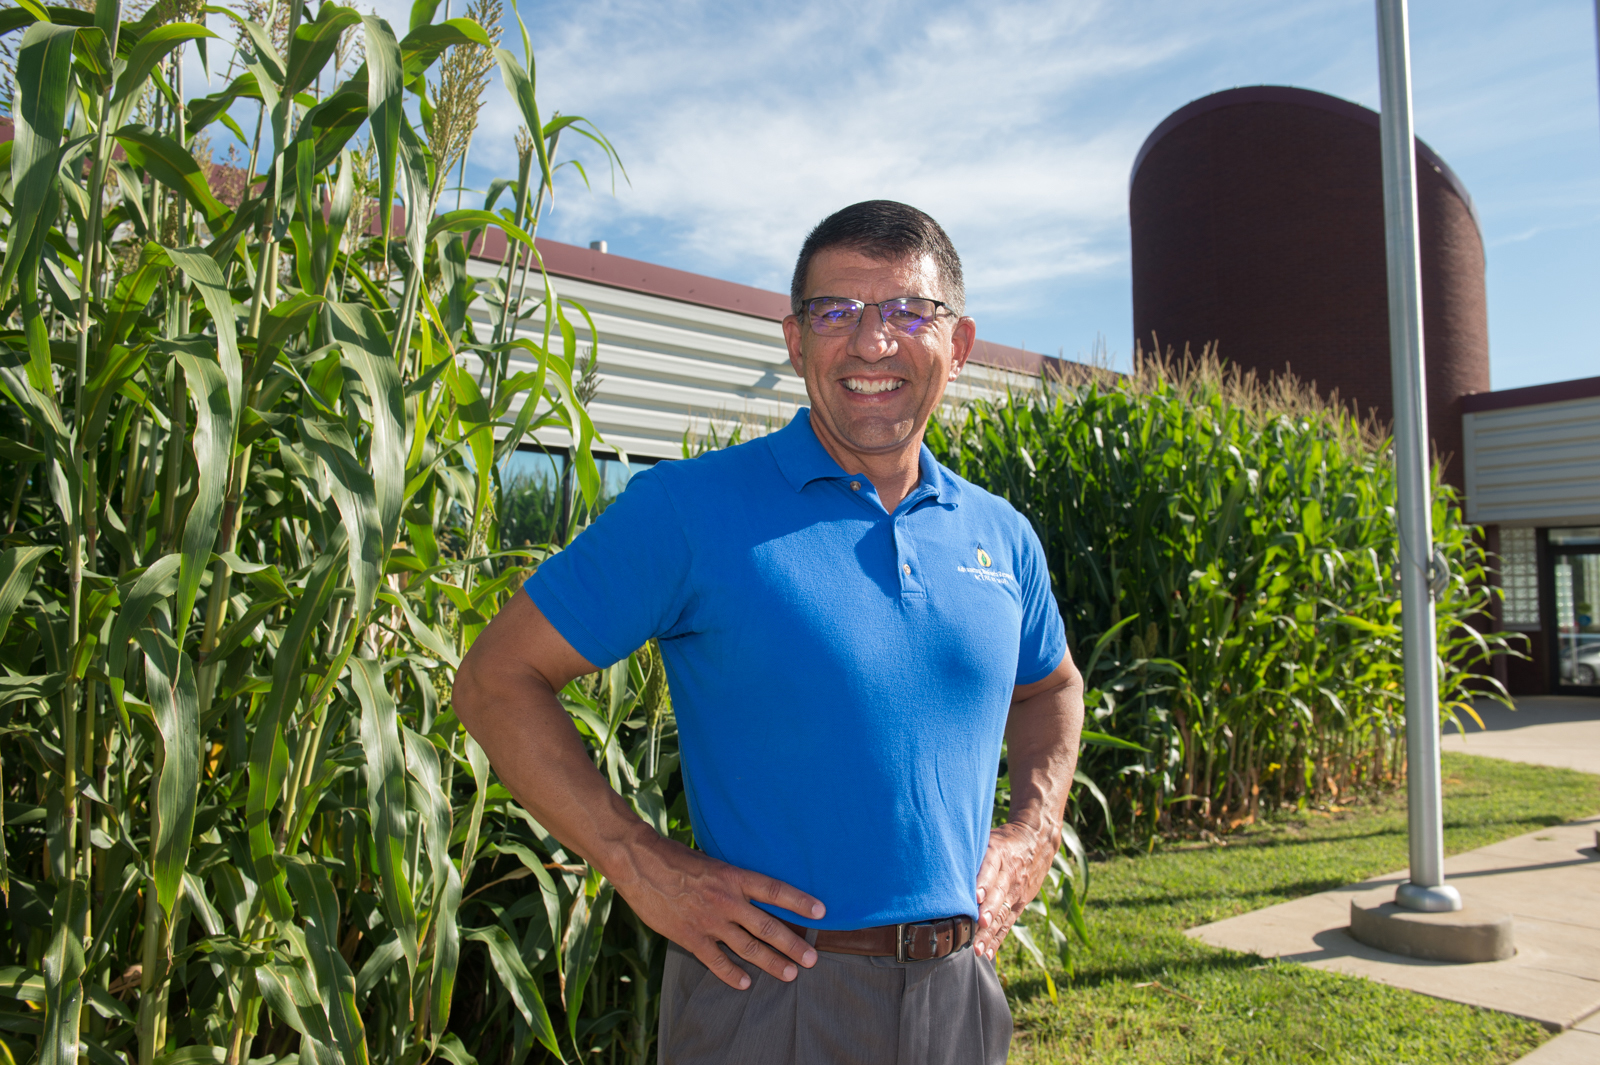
{"x": 1225, "y": 556}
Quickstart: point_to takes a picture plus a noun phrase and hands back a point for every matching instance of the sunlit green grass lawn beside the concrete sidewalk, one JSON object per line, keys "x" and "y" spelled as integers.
{"x": 1146, "y": 994}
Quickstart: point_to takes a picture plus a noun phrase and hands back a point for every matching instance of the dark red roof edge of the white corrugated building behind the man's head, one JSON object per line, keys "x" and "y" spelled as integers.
{"x": 636, "y": 276}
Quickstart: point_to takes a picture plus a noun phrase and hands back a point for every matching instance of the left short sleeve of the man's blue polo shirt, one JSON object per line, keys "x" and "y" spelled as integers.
{"x": 623, "y": 580}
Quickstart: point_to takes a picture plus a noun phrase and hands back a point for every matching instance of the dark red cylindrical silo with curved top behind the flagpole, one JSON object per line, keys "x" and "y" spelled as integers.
{"x": 1258, "y": 223}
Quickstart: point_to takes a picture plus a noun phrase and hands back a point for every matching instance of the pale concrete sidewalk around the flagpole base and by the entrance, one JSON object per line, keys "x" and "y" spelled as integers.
{"x": 1550, "y": 880}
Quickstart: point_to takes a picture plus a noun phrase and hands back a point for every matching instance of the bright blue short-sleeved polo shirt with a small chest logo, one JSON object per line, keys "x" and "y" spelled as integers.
{"x": 841, "y": 676}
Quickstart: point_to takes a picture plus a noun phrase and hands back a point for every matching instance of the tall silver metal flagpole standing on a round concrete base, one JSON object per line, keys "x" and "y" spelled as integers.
{"x": 1426, "y": 890}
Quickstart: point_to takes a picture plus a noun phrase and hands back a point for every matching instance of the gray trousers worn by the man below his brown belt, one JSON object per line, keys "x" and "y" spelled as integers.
{"x": 844, "y": 1011}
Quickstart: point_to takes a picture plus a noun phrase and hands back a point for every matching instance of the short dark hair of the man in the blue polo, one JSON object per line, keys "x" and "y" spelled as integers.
{"x": 887, "y": 231}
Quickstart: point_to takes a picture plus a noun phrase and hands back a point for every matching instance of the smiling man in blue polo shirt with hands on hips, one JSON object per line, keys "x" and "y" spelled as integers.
{"x": 849, "y": 632}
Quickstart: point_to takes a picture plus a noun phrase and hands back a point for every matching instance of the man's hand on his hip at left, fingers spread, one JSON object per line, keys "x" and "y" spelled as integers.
{"x": 703, "y": 904}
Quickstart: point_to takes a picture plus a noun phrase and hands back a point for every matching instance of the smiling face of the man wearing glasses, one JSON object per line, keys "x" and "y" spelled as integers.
{"x": 873, "y": 391}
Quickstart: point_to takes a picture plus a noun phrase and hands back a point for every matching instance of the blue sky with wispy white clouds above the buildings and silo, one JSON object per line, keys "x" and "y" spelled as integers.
{"x": 1017, "y": 122}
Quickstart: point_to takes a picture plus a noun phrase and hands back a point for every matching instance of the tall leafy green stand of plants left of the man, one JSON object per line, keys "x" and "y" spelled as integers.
{"x": 255, "y": 441}
